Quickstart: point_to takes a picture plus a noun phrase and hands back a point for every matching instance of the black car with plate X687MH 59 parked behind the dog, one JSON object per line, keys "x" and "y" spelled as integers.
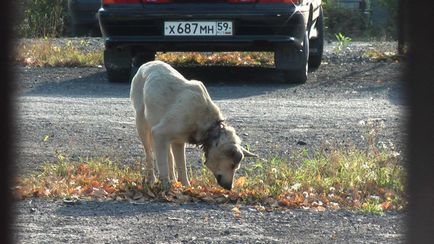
{"x": 136, "y": 29}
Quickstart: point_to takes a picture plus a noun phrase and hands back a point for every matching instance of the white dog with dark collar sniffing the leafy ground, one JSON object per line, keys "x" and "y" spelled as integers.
{"x": 172, "y": 111}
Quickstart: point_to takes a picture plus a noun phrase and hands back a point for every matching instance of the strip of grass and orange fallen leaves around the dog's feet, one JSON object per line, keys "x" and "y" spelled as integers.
{"x": 370, "y": 180}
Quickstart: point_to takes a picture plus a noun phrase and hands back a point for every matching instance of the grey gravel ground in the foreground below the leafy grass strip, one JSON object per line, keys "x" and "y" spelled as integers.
{"x": 115, "y": 222}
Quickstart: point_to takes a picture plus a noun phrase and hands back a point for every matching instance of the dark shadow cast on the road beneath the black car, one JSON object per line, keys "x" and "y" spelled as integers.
{"x": 238, "y": 82}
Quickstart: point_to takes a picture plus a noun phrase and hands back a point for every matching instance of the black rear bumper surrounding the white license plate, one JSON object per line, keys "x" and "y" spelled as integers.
{"x": 255, "y": 26}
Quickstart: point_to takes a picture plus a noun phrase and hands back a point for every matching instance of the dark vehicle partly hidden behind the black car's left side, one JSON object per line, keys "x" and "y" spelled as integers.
{"x": 84, "y": 19}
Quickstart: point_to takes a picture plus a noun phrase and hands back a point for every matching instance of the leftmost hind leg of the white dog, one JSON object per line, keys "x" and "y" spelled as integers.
{"x": 144, "y": 131}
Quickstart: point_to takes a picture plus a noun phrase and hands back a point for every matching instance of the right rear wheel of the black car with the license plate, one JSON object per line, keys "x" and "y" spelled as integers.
{"x": 293, "y": 61}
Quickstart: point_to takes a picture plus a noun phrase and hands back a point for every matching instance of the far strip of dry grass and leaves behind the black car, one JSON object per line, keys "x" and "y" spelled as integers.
{"x": 48, "y": 53}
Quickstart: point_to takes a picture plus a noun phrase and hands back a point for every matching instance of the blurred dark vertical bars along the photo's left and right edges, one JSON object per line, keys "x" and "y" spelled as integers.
{"x": 416, "y": 30}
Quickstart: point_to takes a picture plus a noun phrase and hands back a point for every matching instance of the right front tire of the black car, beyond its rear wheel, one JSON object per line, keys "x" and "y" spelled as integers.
{"x": 316, "y": 45}
